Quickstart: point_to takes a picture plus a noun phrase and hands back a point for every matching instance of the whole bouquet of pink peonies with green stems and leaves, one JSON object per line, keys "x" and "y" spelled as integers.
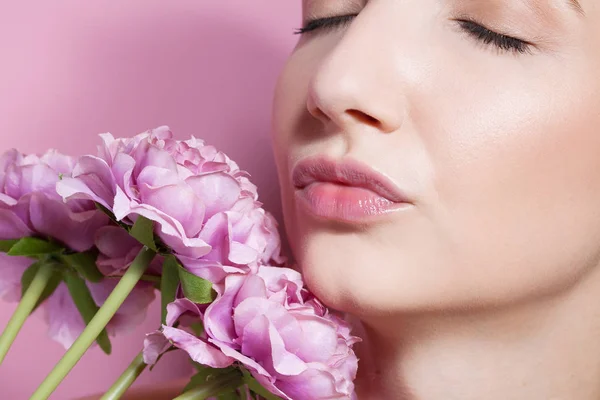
{"x": 91, "y": 240}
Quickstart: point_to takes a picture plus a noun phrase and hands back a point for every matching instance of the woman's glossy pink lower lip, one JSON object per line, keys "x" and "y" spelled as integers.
{"x": 346, "y": 203}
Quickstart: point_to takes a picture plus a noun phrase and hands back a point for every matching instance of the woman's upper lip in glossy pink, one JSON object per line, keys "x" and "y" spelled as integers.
{"x": 347, "y": 172}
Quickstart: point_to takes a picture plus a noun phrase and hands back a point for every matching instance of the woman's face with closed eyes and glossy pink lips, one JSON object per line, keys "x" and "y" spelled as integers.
{"x": 439, "y": 155}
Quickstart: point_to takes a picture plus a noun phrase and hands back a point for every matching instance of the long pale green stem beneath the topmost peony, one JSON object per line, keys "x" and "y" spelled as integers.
{"x": 96, "y": 325}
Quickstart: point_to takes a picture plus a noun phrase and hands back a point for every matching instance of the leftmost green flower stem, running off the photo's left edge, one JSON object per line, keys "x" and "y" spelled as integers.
{"x": 25, "y": 307}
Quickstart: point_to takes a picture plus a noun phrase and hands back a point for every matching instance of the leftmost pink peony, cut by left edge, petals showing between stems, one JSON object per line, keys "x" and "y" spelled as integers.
{"x": 30, "y": 206}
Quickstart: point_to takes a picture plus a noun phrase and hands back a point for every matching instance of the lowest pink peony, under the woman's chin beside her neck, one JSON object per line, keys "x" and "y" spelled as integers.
{"x": 273, "y": 326}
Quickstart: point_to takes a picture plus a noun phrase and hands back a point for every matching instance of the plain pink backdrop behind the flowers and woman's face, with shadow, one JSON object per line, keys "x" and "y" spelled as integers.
{"x": 71, "y": 69}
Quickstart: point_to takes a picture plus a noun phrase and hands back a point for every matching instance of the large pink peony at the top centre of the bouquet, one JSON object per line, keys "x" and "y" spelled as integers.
{"x": 204, "y": 206}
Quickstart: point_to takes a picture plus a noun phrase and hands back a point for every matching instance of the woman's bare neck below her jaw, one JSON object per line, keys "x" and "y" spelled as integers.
{"x": 546, "y": 349}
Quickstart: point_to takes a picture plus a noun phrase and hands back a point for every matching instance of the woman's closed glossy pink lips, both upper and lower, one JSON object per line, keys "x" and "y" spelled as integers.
{"x": 345, "y": 190}
